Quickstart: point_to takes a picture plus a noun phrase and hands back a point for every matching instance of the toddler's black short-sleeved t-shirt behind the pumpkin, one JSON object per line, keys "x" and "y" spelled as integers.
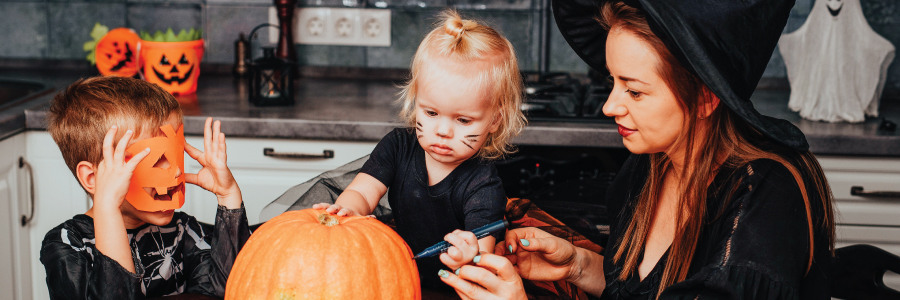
{"x": 469, "y": 197}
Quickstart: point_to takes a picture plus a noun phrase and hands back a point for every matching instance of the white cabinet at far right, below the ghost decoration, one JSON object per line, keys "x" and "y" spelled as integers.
{"x": 866, "y": 219}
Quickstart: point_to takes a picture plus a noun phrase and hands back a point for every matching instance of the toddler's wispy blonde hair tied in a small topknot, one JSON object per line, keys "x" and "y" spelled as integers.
{"x": 467, "y": 41}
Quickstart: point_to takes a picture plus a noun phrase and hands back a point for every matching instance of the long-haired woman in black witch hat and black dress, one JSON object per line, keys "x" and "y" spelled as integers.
{"x": 717, "y": 201}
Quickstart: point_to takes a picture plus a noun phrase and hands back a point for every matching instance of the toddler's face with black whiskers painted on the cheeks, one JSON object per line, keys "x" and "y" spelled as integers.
{"x": 454, "y": 115}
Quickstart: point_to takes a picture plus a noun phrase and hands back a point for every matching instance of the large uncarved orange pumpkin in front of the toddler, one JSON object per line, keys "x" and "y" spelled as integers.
{"x": 310, "y": 254}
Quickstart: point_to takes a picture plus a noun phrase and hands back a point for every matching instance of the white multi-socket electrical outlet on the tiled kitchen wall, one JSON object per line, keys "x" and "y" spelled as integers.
{"x": 338, "y": 26}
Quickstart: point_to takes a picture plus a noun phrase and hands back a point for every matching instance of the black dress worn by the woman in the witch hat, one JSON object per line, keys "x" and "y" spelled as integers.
{"x": 753, "y": 244}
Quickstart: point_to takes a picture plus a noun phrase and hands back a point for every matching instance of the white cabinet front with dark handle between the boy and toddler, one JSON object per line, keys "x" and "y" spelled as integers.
{"x": 264, "y": 178}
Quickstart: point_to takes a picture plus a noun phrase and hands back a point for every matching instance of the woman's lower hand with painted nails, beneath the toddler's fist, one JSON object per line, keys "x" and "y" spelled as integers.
{"x": 492, "y": 277}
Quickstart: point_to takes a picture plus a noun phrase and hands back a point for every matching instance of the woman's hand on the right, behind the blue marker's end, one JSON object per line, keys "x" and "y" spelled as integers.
{"x": 538, "y": 255}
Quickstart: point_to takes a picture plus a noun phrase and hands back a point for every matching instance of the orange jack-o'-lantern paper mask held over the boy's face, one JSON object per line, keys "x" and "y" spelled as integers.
{"x": 158, "y": 181}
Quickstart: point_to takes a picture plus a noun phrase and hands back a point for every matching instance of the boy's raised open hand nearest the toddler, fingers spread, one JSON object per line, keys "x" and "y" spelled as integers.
{"x": 215, "y": 175}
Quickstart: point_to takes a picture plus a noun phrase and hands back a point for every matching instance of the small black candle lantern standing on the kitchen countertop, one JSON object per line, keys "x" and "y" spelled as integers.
{"x": 272, "y": 80}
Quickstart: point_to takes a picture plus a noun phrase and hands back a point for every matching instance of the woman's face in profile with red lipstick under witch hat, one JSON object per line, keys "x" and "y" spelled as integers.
{"x": 648, "y": 114}
